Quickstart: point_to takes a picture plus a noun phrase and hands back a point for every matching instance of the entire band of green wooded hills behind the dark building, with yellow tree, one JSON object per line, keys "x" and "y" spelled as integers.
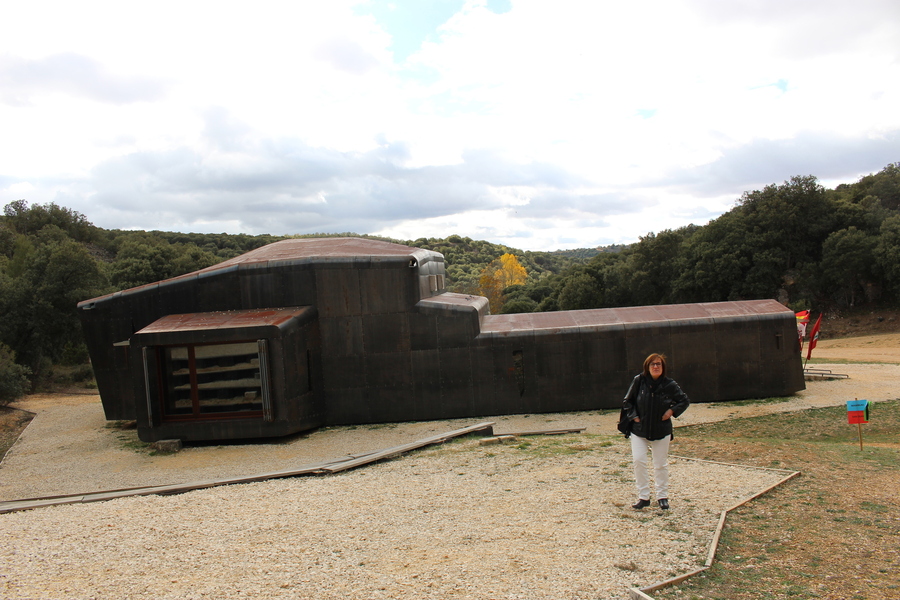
{"x": 797, "y": 242}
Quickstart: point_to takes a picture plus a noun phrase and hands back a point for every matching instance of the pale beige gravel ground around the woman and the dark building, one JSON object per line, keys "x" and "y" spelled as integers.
{"x": 457, "y": 521}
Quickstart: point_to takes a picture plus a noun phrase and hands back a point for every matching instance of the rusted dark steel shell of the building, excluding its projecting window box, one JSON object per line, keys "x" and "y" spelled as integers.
{"x": 392, "y": 345}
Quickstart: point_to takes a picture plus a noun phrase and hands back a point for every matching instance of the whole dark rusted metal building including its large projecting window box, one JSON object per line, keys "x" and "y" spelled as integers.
{"x": 310, "y": 332}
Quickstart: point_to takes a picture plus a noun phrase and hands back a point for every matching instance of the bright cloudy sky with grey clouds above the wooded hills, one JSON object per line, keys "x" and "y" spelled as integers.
{"x": 534, "y": 123}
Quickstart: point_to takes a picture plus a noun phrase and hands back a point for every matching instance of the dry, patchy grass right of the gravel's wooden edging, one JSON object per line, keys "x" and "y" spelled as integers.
{"x": 829, "y": 533}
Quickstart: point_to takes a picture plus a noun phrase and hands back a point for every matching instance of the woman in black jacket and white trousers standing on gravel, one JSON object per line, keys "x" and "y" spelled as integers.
{"x": 651, "y": 402}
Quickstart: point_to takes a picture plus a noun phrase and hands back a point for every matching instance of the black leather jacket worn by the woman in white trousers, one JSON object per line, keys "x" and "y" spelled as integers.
{"x": 649, "y": 400}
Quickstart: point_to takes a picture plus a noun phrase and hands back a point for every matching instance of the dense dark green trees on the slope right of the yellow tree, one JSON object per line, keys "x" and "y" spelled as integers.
{"x": 798, "y": 243}
